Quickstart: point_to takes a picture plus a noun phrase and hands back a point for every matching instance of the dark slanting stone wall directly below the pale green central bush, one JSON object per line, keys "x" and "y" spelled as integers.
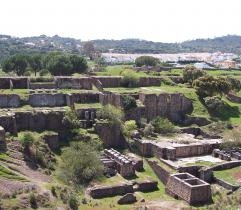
{"x": 110, "y": 135}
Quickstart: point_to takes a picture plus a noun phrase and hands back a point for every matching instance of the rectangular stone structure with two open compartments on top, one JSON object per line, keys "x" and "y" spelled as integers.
{"x": 189, "y": 188}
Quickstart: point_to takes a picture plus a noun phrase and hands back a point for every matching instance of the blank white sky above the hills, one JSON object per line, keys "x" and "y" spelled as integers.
{"x": 155, "y": 20}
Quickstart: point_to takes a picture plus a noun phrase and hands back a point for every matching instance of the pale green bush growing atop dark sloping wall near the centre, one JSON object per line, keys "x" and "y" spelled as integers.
{"x": 112, "y": 114}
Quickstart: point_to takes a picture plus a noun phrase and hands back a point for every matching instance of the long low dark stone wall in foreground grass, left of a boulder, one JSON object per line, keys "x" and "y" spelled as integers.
{"x": 109, "y": 191}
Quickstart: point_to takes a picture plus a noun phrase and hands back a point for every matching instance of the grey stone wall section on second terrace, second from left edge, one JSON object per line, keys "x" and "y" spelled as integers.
{"x": 47, "y": 100}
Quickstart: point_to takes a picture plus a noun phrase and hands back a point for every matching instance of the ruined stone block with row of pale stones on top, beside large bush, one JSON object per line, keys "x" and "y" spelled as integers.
{"x": 122, "y": 163}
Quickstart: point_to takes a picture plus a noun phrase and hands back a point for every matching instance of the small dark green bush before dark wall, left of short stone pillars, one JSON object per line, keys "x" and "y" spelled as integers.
{"x": 70, "y": 120}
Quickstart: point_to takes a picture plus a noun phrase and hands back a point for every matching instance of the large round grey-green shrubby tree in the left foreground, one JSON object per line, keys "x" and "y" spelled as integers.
{"x": 80, "y": 163}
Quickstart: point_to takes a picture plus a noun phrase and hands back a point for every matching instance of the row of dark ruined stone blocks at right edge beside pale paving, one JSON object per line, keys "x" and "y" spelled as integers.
{"x": 227, "y": 154}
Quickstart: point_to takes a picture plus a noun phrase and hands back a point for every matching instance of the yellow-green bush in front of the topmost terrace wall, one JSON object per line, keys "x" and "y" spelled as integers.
{"x": 130, "y": 78}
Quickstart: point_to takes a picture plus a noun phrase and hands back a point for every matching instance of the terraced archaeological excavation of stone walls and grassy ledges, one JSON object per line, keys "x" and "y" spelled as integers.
{"x": 140, "y": 163}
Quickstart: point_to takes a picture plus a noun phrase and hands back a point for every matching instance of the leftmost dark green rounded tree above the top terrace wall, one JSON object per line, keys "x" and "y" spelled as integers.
{"x": 17, "y": 63}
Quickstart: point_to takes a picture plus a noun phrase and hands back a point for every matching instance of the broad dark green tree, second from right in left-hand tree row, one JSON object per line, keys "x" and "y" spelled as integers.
{"x": 60, "y": 65}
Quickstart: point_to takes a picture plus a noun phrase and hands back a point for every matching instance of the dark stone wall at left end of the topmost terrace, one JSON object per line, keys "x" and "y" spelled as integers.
{"x": 18, "y": 82}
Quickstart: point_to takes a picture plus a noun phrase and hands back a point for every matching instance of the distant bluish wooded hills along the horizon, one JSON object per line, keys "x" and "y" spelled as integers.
{"x": 41, "y": 44}
